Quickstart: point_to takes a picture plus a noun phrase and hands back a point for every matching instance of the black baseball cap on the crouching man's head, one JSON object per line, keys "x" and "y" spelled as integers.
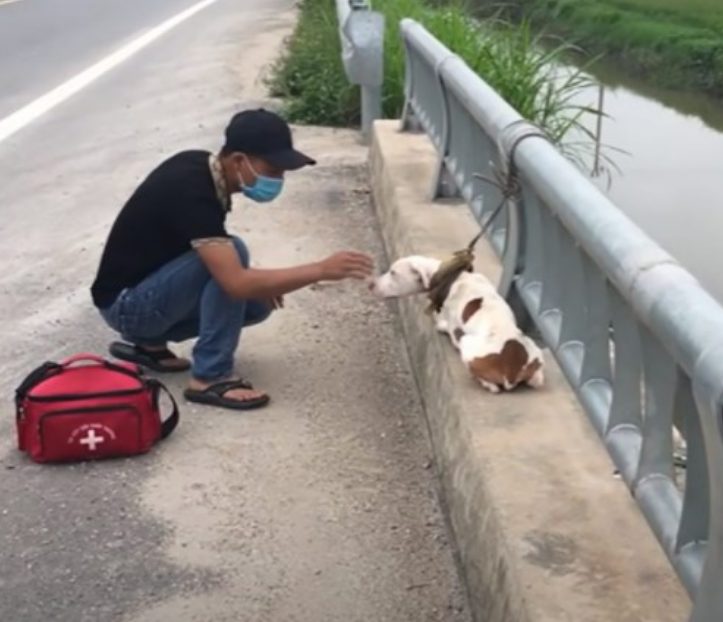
{"x": 266, "y": 135}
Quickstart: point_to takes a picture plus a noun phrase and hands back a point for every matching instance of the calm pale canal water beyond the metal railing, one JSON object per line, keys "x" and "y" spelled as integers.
{"x": 671, "y": 179}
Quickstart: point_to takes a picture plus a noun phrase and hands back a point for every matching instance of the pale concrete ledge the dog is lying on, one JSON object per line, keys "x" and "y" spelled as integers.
{"x": 544, "y": 529}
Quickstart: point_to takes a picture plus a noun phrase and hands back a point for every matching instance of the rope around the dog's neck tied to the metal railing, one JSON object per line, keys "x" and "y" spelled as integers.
{"x": 507, "y": 182}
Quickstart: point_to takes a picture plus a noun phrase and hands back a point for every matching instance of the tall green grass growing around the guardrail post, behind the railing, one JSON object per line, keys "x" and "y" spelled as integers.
{"x": 511, "y": 58}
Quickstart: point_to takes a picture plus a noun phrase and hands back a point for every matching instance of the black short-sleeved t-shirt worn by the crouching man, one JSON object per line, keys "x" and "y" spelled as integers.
{"x": 175, "y": 204}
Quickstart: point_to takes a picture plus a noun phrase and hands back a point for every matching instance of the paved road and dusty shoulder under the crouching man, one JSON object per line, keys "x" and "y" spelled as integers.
{"x": 321, "y": 509}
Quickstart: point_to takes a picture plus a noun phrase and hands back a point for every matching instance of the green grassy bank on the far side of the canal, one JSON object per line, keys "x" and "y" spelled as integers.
{"x": 675, "y": 43}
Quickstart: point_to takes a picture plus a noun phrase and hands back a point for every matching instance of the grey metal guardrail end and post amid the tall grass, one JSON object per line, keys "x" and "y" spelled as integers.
{"x": 361, "y": 31}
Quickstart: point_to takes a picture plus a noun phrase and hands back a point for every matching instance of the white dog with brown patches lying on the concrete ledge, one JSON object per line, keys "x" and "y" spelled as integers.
{"x": 477, "y": 319}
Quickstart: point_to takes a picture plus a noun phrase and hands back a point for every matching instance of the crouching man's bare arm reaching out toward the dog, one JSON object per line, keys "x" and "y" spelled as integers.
{"x": 238, "y": 282}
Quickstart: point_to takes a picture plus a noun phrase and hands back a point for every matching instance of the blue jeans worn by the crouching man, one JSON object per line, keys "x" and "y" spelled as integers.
{"x": 181, "y": 301}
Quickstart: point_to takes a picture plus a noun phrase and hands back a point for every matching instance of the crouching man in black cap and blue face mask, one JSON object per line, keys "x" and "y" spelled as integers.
{"x": 170, "y": 271}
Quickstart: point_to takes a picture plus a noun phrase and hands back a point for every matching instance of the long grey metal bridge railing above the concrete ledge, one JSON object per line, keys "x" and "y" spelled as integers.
{"x": 637, "y": 337}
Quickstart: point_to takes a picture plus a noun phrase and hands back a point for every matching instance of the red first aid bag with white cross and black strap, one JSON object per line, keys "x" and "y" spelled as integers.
{"x": 87, "y": 408}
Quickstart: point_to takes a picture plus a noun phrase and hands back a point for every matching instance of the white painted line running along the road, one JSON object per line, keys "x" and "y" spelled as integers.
{"x": 25, "y": 115}
